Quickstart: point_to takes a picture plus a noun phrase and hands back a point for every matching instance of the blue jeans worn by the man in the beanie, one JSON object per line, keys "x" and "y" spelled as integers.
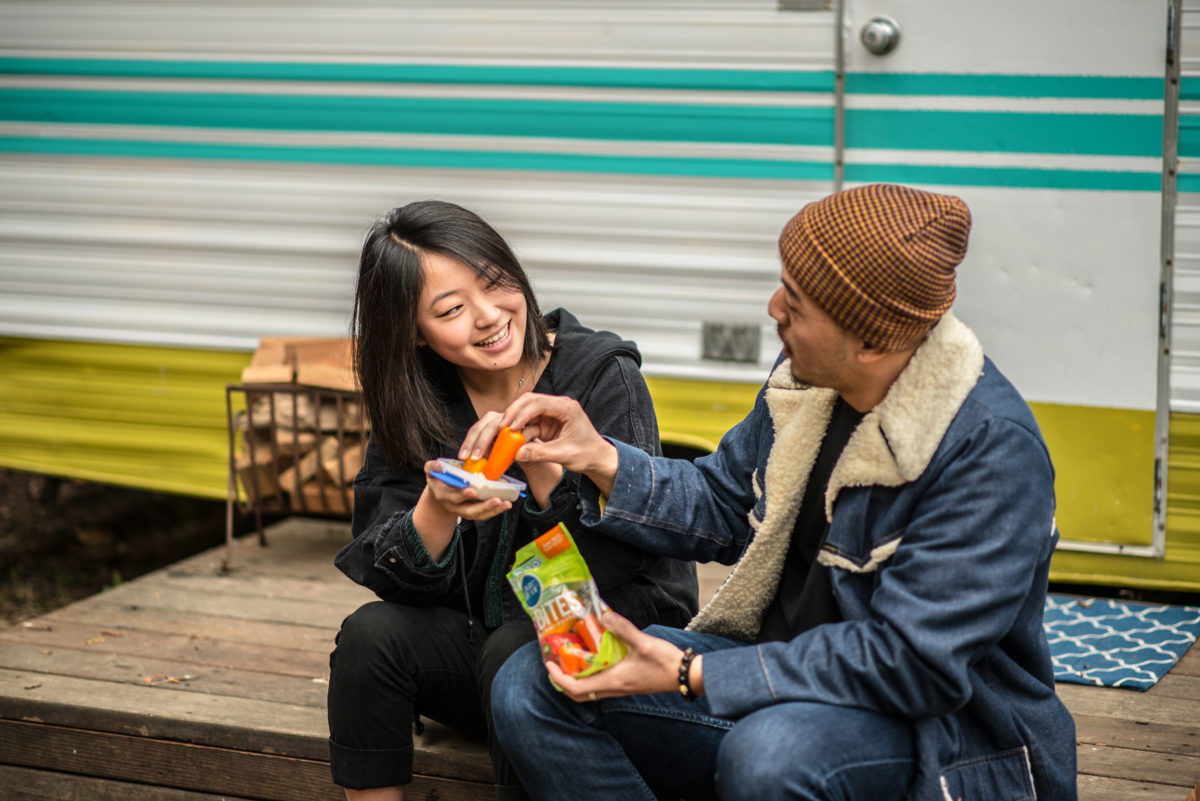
{"x": 629, "y": 749}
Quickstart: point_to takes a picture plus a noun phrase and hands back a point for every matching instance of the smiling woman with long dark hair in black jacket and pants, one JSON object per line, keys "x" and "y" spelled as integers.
{"x": 448, "y": 334}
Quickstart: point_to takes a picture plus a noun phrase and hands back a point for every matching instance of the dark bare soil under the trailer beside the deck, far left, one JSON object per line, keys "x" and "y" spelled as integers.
{"x": 64, "y": 540}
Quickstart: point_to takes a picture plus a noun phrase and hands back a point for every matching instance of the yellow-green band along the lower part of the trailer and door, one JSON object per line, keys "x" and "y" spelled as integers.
{"x": 154, "y": 418}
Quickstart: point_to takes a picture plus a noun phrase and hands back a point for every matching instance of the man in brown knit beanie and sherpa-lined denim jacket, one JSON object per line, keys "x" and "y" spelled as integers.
{"x": 889, "y": 505}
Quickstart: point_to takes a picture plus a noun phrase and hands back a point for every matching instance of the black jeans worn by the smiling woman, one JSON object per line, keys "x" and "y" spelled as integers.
{"x": 394, "y": 663}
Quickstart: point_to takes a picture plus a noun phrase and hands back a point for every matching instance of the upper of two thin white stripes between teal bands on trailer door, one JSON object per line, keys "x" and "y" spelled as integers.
{"x": 985, "y": 104}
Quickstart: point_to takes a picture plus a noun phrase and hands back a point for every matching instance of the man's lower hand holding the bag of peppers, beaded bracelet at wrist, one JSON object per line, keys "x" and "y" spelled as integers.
{"x": 652, "y": 666}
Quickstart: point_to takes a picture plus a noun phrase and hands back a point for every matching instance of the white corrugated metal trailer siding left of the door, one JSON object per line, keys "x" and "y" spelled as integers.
{"x": 219, "y": 254}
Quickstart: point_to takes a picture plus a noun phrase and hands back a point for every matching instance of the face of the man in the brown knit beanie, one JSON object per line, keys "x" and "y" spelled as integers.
{"x": 823, "y": 353}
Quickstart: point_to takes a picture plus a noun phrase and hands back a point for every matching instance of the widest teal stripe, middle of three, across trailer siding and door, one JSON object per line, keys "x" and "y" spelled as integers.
{"x": 1108, "y": 135}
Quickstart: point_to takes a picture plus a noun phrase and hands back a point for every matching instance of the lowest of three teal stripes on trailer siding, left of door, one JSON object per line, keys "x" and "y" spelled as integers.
{"x": 747, "y": 168}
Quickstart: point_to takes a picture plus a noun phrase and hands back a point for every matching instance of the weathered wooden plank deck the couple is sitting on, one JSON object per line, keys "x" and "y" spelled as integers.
{"x": 191, "y": 685}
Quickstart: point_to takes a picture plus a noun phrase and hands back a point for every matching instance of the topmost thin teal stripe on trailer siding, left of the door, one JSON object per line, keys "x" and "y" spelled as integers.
{"x": 776, "y": 81}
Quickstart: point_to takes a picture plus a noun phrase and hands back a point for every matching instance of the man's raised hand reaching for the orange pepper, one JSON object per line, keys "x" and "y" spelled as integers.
{"x": 559, "y": 431}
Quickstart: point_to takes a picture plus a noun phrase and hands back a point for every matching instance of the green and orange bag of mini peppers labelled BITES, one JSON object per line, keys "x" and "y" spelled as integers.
{"x": 556, "y": 588}
